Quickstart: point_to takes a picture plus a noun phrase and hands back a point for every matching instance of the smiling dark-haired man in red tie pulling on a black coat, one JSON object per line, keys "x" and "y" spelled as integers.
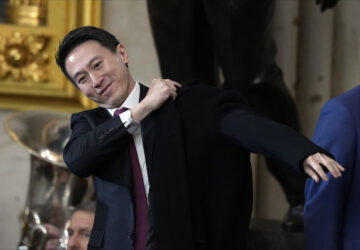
{"x": 191, "y": 155}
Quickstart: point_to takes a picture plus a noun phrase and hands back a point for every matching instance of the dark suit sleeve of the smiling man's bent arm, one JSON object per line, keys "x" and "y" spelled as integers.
{"x": 91, "y": 144}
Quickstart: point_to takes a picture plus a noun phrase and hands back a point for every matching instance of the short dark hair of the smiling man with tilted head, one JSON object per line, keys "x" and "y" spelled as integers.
{"x": 78, "y": 36}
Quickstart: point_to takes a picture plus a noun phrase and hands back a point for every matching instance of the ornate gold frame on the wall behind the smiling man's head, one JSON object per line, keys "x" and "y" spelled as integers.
{"x": 55, "y": 92}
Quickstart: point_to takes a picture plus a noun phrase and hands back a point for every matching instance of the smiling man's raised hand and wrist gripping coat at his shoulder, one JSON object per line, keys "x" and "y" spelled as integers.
{"x": 160, "y": 90}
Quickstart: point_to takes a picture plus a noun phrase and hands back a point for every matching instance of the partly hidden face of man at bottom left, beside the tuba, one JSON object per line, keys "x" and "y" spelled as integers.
{"x": 79, "y": 230}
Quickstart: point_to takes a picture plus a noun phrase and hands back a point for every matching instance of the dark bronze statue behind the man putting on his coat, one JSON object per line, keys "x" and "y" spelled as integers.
{"x": 234, "y": 36}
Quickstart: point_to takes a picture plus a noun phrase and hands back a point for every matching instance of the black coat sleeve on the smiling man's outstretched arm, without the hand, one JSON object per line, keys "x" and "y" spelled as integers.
{"x": 260, "y": 135}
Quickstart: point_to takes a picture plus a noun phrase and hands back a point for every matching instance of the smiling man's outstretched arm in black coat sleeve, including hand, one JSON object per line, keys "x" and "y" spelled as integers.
{"x": 260, "y": 135}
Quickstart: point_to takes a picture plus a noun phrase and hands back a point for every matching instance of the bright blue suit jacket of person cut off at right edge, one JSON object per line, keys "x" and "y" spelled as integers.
{"x": 332, "y": 217}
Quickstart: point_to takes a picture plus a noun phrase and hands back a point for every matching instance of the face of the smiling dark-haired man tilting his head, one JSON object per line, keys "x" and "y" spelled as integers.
{"x": 100, "y": 74}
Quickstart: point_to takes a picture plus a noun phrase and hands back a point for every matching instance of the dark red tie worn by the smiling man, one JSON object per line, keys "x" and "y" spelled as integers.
{"x": 140, "y": 202}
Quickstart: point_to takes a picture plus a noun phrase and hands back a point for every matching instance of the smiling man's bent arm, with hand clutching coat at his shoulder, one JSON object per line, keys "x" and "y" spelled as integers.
{"x": 90, "y": 144}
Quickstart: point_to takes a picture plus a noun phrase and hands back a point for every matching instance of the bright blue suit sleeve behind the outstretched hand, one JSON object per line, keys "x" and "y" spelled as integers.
{"x": 326, "y": 201}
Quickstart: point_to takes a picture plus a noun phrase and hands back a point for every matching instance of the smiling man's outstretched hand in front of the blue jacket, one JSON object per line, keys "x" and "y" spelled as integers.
{"x": 314, "y": 164}
